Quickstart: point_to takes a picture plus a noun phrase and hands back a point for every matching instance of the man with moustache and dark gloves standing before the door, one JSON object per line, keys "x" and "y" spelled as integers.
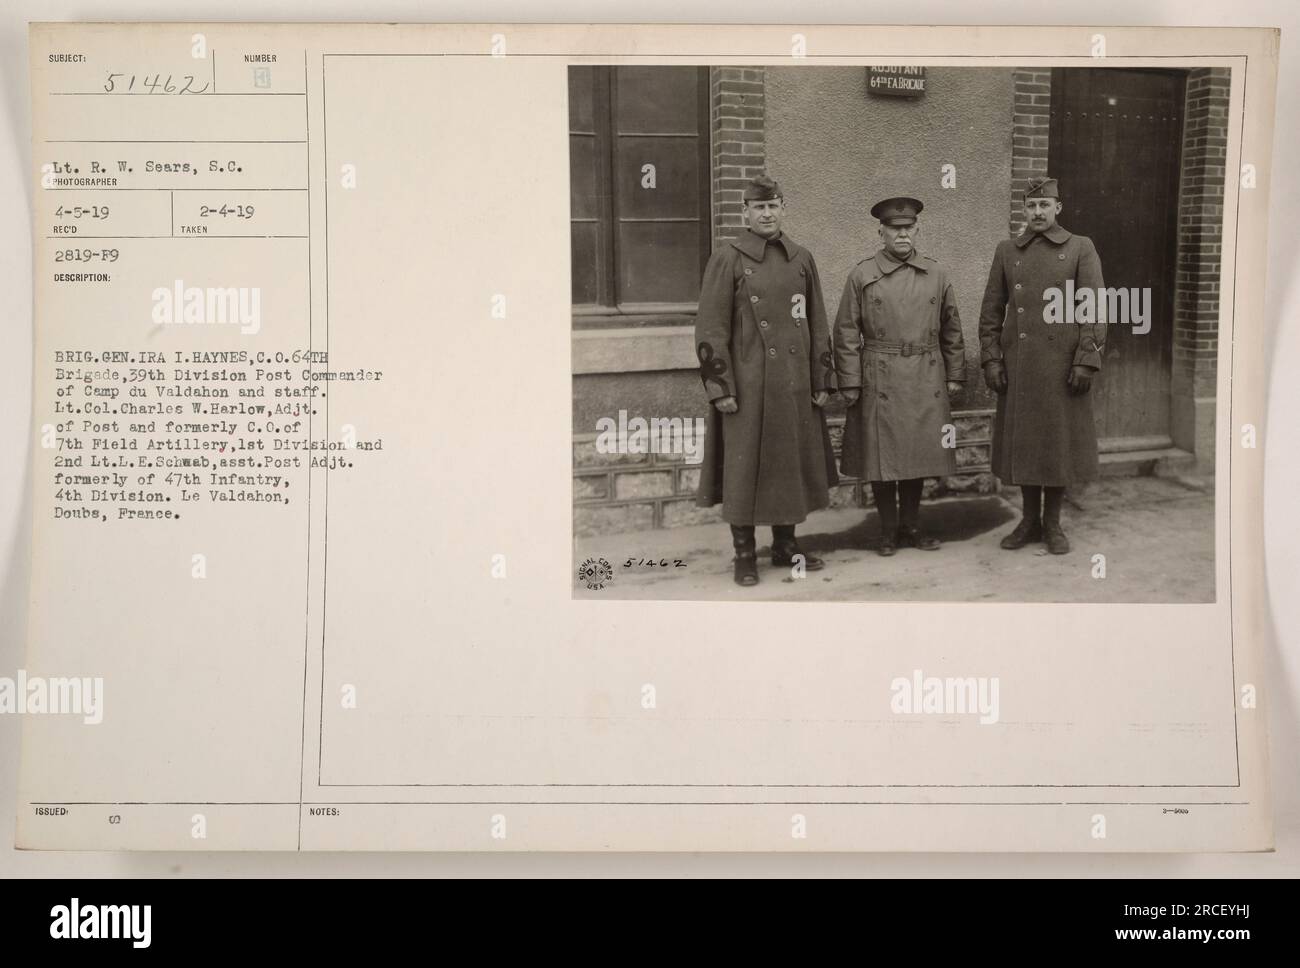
{"x": 1045, "y": 437}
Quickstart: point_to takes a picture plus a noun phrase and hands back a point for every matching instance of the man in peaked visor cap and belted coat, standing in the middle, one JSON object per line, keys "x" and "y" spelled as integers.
{"x": 899, "y": 354}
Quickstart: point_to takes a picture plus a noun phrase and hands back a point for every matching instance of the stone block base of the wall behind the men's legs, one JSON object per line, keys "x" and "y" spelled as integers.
{"x": 616, "y": 493}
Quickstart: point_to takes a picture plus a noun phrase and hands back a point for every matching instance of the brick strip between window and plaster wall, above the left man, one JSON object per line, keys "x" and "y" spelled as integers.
{"x": 739, "y": 116}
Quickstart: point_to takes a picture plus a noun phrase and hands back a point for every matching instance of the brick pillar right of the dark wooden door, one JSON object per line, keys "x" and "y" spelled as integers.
{"x": 1201, "y": 228}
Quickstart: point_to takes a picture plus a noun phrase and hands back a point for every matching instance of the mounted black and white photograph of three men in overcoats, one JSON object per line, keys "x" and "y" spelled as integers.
{"x": 896, "y": 333}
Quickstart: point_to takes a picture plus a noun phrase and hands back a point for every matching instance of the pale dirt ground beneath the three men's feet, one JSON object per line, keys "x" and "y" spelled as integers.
{"x": 1158, "y": 536}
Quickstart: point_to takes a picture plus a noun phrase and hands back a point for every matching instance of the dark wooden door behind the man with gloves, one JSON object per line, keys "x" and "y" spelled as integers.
{"x": 1116, "y": 146}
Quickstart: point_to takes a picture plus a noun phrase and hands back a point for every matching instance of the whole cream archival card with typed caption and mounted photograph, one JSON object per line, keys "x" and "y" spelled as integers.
{"x": 785, "y": 439}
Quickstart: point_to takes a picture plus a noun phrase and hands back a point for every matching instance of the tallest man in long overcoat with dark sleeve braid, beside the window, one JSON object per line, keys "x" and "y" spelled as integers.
{"x": 765, "y": 361}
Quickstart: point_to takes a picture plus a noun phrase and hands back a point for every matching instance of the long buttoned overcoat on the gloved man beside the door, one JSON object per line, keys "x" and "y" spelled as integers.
{"x": 1043, "y": 435}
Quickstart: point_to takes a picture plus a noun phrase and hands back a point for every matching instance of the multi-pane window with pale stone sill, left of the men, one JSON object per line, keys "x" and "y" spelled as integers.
{"x": 639, "y": 193}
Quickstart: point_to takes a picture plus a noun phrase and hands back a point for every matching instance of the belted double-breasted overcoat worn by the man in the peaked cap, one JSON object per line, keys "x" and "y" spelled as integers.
{"x": 899, "y": 338}
